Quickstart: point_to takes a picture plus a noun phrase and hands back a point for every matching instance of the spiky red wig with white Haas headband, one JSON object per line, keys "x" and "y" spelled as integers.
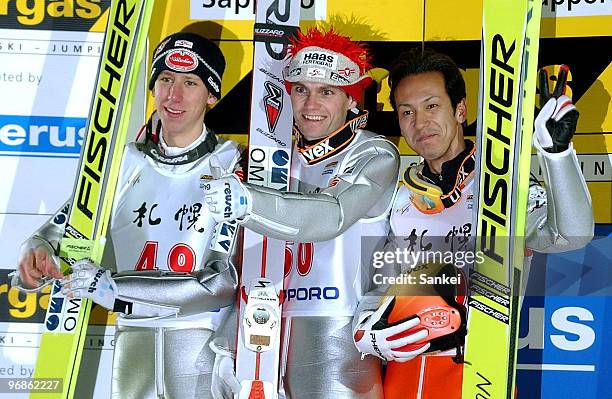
{"x": 329, "y": 58}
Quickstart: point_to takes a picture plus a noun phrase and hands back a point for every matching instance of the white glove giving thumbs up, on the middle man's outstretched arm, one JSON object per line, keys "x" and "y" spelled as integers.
{"x": 226, "y": 198}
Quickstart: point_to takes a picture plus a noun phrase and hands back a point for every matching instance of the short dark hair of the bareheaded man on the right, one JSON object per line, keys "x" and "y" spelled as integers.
{"x": 416, "y": 61}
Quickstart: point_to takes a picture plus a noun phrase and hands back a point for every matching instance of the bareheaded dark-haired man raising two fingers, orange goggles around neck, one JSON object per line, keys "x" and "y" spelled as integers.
{"x": 434, "y": 205}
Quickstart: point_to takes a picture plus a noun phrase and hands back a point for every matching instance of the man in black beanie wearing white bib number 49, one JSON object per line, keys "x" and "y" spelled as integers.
{"x": 173, "y": 278}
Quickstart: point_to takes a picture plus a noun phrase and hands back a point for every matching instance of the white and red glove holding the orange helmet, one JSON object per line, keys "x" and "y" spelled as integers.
{"x": 374, "y": 336}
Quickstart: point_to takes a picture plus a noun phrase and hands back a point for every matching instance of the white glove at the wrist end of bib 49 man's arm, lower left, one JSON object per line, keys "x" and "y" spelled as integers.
{"x": 89, "y": 280}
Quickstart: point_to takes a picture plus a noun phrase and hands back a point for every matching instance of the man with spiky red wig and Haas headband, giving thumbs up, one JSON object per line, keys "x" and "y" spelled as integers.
{"x": 342, "y": 182}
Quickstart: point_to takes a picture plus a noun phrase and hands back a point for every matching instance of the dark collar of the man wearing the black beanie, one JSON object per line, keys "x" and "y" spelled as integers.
{"x": 155, "y": 147}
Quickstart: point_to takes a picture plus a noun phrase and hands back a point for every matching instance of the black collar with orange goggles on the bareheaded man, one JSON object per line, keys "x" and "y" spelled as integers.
{"x": 432, "y": 193}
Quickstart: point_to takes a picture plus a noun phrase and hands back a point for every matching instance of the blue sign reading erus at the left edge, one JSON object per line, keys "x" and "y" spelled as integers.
{"x": 41, "y": 135}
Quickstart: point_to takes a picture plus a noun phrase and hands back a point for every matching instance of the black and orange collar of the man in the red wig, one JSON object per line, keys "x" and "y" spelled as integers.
{"x": 315, "y": 151}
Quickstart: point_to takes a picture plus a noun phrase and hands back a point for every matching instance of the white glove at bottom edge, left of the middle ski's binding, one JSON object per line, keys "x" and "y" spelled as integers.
{"x": 224, "y": 383}
